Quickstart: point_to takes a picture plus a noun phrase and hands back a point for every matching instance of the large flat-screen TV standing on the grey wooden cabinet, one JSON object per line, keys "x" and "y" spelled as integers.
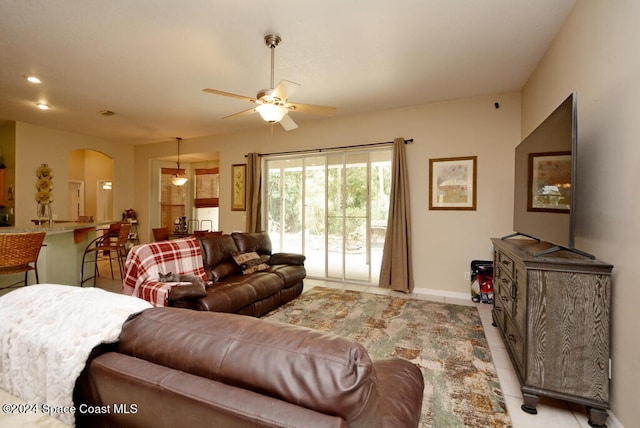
{"x": 545, "y": 180}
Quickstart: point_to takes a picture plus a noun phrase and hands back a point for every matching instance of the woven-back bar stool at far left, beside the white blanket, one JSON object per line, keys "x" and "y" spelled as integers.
{"x": 19, "y": 253}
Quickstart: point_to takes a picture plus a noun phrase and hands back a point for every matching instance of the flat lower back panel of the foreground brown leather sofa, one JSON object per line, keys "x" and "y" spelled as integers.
{"x": 166, "y": 397}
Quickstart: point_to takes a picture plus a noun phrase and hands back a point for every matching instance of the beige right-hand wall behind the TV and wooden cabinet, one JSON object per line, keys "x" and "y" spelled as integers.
{"x": 596, "y": 55}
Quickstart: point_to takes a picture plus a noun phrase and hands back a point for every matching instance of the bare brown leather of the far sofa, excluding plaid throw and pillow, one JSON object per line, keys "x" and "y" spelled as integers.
{"x": 232, "y": 291}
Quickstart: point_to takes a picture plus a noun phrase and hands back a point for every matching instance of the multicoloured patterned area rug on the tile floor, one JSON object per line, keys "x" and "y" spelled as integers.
{"x": 446, "y": 341}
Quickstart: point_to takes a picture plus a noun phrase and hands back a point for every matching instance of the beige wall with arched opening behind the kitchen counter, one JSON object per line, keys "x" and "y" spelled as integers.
{"x": 36, "y": 145}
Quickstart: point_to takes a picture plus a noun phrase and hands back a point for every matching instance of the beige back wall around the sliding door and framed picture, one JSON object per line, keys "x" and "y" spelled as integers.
{"x": 444, "y": 241}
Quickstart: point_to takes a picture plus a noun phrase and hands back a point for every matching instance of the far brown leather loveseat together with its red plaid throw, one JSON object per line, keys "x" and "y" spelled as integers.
{"x": 233, "y": 286}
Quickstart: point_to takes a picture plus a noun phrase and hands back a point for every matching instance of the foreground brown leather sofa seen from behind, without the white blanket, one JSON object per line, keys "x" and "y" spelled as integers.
{"x": 174, "y": 367}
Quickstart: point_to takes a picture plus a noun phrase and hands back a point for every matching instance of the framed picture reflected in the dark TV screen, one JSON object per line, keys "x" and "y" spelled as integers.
{"x": 549, "y": 182}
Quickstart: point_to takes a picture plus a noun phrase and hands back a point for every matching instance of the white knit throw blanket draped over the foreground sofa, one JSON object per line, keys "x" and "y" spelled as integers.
{"x": 47, "y": 332}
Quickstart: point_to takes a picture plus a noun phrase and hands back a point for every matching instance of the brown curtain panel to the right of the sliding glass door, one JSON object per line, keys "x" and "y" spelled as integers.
{"x": 396, "y": 271}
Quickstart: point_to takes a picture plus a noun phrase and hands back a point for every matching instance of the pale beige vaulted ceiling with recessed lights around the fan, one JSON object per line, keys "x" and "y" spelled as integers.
{"x": 148, "y": 60}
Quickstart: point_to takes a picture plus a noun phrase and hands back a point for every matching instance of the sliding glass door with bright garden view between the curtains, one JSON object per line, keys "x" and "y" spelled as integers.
{"x": 333, "y": 209}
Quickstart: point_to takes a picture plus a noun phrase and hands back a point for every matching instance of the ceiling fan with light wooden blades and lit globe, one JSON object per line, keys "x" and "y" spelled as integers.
{"x": 273, "y": 103}
